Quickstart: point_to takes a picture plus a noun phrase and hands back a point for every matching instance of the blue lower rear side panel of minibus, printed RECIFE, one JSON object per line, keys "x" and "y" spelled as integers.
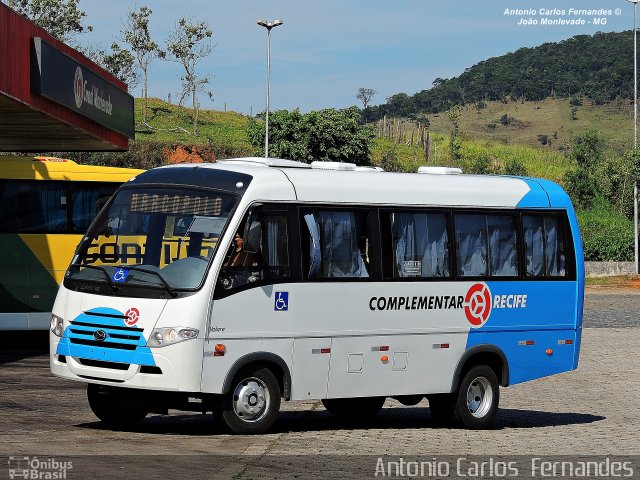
{"x": 547, "y": 316}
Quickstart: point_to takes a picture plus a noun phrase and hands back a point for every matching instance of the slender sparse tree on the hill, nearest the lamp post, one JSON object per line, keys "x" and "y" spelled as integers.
{"x": 188, "y": 45}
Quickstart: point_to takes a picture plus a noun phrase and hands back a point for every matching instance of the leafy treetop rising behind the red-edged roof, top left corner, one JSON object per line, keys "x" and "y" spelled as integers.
{"x": 61, "y": 18}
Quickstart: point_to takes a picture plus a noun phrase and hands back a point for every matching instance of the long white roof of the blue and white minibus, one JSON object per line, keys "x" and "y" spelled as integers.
{"x": 329, "y": 186}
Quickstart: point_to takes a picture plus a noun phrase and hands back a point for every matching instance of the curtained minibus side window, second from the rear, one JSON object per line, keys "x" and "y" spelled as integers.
{"x": 486, "y": 245}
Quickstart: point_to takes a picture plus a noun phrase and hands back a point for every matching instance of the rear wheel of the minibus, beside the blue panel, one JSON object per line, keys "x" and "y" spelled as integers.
{"x": 477, "y": 398}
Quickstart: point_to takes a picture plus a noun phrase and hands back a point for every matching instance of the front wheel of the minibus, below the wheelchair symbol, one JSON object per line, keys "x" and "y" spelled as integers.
{"x": 253, "y": 403}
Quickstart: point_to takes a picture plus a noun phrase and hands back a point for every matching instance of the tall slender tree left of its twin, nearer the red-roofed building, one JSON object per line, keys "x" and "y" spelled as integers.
{"x": 143, "y": 49}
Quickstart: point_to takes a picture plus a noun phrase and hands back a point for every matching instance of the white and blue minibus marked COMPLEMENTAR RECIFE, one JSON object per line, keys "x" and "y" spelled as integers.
{"x": 230, "y": 287}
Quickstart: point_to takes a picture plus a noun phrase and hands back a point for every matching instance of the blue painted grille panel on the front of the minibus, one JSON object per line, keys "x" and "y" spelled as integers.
{"x": 115, "y": 348}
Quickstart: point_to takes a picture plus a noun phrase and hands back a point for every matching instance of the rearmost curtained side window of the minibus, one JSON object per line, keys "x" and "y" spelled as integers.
{"x": 545, "y": 254}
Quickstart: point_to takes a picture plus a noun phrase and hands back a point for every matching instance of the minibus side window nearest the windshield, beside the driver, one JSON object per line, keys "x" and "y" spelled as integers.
{"x": 259, "y": 251}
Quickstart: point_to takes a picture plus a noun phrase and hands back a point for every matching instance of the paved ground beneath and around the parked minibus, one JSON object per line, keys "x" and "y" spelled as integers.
{"x": 591, "y": 411}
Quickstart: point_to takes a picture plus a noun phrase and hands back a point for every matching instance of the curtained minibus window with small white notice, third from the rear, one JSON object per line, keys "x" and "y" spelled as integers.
{"x": 419, "y": 242}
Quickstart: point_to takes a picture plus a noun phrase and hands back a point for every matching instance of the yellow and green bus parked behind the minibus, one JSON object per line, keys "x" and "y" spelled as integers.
{"x": 47, "y": 205}
